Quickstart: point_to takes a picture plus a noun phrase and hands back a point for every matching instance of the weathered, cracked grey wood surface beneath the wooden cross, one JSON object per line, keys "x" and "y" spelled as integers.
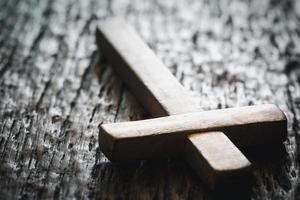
{"x": 56, "y": 89}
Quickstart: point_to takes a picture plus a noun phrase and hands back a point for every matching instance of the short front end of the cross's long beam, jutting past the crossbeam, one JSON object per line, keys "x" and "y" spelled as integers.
{"x": 215, "y": 159}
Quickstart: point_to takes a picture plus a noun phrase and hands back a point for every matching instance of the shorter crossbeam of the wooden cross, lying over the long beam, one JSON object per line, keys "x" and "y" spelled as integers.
{"x": 164, "y": 136}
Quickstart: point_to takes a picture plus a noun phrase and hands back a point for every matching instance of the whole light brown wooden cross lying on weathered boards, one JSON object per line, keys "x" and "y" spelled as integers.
{"x": 204, "y": 138}
